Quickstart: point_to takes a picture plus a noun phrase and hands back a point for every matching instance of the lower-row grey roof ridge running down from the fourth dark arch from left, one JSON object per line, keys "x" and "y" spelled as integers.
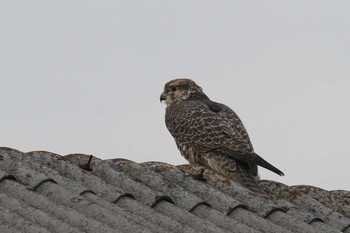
{"x": 152, "y": 215}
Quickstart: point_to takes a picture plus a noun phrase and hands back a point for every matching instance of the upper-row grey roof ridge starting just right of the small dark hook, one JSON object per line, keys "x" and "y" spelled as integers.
{"x": 181, "y": 197}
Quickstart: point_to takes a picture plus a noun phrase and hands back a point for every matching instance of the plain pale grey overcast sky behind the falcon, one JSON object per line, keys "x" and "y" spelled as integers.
{"x": 86, "y": 76}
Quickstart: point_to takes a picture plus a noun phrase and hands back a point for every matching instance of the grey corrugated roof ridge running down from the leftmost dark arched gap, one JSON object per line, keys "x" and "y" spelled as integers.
{"x": 65, "y": 214}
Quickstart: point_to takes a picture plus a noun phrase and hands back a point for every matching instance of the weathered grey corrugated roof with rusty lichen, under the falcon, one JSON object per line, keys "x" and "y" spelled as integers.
{"x": 45, "y": 192}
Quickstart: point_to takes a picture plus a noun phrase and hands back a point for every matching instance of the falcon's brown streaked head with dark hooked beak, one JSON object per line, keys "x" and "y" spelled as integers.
{"x": 178, "y": 90}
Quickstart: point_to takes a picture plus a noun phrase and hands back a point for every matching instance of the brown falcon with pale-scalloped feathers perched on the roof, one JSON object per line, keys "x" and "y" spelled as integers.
{"x": 211, "y": 134}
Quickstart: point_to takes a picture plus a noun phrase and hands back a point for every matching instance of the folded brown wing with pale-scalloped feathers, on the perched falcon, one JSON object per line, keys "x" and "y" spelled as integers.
{"x": 193, "y": 122}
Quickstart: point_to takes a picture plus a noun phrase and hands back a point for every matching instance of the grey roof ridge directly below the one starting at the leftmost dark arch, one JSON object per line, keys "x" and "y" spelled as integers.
{"x": 35, "y": 216}
